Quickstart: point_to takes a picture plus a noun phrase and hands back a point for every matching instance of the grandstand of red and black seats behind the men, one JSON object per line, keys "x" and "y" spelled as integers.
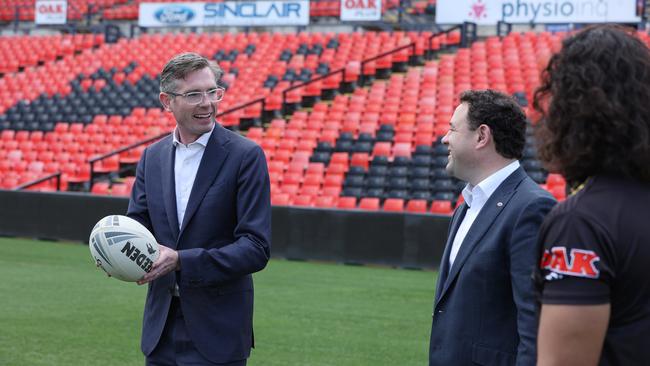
{"x": 346, "y": 120}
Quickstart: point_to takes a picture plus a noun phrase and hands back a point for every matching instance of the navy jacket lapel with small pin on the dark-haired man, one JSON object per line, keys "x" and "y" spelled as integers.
{"x": 489, "y": 213}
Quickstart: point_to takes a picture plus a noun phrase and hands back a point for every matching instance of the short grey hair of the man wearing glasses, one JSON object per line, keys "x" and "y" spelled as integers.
{"x": 182, "y": 64}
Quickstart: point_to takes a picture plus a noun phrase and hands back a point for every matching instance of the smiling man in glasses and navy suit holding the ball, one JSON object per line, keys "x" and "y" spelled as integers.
{"x": 204, "y": 194}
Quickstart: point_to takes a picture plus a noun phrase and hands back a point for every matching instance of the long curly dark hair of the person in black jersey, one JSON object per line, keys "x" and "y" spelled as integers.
{"x": 594, "y": 103}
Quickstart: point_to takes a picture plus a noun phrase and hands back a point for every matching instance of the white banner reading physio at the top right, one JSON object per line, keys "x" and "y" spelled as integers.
{"x": 489, "y": 12}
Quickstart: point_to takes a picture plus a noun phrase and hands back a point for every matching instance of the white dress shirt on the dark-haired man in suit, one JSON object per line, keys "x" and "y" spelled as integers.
{"x": 475, "y": 198}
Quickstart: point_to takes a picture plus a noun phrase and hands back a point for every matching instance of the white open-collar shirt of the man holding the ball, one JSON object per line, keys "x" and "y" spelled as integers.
{"x": 187, "y": 161}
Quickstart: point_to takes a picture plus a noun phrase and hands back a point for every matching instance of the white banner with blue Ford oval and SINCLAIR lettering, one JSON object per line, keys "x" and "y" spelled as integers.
{"x": 228, "y": 13}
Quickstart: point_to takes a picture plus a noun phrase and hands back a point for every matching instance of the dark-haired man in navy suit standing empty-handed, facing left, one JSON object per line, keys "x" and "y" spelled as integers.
{"x": 484, "y": 310}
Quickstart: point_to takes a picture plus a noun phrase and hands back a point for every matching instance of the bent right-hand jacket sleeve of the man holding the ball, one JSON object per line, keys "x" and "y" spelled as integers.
{"x": 250, "y": 251}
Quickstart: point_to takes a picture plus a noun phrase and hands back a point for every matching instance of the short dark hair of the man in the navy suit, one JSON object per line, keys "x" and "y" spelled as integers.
{"x": 502, "y": 114}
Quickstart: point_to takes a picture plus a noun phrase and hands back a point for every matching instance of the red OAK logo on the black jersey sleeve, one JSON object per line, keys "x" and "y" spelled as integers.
{"x": 580, "y": 263}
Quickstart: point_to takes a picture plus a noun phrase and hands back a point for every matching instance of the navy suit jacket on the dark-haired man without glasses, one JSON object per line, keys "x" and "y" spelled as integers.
{"x": 484, "y": 310}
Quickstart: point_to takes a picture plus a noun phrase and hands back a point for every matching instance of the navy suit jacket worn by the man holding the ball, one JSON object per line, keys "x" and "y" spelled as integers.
{"x": 225, "y": 236}
